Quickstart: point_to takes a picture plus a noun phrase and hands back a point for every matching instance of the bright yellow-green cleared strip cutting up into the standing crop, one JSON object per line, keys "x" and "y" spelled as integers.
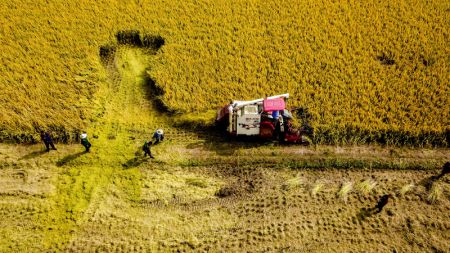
{"x": 129, "y": 118}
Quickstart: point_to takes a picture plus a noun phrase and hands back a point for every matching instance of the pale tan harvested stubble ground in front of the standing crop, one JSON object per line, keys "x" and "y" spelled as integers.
{"x": 273, "y": 209}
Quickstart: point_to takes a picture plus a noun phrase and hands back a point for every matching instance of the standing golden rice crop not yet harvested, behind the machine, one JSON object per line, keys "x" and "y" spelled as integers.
{"x": 368, "y": 71}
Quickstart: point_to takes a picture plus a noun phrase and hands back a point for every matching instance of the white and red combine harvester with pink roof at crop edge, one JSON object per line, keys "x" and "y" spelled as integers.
{"x": 267, "y": 118}
